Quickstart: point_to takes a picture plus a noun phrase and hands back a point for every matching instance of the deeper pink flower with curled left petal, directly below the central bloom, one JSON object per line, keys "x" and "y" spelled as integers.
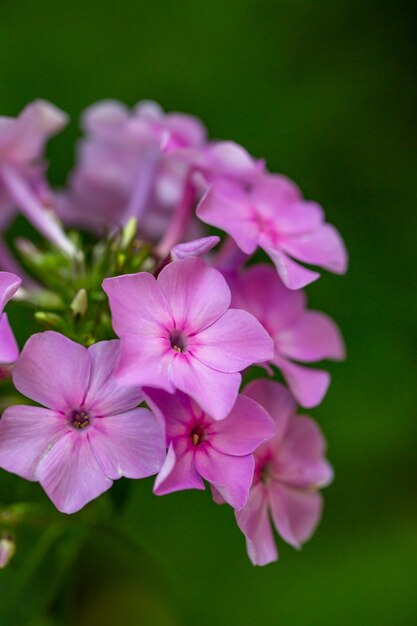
{"x": 221, "y": 452}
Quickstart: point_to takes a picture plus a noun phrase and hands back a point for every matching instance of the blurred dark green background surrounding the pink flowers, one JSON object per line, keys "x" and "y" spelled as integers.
{"x": 326, "y": 92}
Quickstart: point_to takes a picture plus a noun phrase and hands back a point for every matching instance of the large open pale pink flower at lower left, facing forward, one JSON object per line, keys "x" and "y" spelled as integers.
{"x": 90, "y": 433}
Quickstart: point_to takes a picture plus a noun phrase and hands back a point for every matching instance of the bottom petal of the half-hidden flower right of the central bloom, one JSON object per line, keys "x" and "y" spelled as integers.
{"x": 309, "y": 386}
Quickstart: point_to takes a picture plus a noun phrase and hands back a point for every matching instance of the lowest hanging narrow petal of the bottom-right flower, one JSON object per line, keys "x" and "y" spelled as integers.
{"x": 254, "y": 522}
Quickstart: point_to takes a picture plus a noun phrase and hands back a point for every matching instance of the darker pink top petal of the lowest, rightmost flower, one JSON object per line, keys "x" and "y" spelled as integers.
{"x": 276, "y": 400}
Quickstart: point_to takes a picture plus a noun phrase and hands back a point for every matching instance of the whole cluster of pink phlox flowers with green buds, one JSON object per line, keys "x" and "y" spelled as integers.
{"x": 150, "y": 329}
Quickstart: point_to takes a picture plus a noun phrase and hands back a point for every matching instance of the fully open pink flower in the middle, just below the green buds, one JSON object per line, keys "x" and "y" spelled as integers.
{"x": 177, "y": 332}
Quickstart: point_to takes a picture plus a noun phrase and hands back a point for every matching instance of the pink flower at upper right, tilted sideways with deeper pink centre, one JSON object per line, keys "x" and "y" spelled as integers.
{"x": 271, "y": 214}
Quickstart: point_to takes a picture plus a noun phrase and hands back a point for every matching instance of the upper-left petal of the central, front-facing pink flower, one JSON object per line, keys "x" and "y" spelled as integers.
{"x": 137, "y": 304}
